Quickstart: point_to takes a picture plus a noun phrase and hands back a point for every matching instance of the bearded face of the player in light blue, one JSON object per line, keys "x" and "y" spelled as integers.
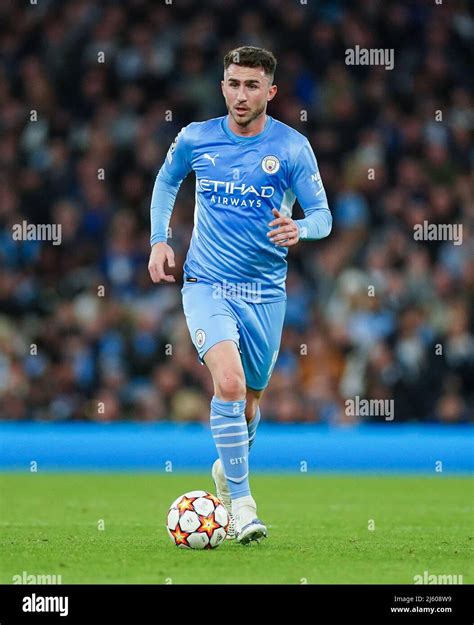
{"x": 246, "y": 92}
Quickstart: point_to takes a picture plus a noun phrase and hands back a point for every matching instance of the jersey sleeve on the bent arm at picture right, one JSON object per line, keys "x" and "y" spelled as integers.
{"x": 306, "y": 184}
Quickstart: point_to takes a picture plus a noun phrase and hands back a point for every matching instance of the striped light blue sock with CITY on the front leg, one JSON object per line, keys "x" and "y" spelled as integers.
{"x": 229, "y": 429}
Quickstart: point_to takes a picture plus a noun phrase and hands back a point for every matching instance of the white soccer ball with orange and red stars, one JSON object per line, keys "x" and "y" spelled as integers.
{"x": 197, "y": 520}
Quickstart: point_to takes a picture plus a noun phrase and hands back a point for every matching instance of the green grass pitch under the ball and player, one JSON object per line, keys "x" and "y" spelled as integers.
{"x": 318, "y": 529}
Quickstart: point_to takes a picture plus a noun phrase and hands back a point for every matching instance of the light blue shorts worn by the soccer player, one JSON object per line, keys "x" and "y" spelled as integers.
{"x": 255, "y": 328}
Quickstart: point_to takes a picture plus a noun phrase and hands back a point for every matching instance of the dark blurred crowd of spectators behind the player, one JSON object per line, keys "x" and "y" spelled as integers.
{"x": 92, "y": 93}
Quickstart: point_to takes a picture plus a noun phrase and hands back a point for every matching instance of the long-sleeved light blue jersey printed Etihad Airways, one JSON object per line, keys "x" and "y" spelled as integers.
{"x": 238, "y": 182}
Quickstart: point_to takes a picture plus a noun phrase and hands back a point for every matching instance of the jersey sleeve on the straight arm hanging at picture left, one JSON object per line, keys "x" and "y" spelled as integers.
{"x": 176, "y": 167}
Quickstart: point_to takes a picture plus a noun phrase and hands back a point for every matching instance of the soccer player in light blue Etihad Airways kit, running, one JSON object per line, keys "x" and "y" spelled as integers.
{"x": 249, "y": 170}
